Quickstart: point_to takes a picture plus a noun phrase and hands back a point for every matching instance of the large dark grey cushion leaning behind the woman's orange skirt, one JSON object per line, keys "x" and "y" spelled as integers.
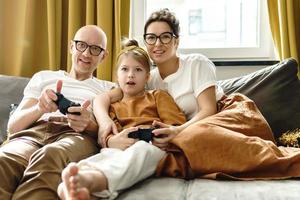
{"x": 276, "y": 92}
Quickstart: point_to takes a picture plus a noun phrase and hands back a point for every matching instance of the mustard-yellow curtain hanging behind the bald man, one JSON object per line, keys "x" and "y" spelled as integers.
{"x": 35, "y": 34}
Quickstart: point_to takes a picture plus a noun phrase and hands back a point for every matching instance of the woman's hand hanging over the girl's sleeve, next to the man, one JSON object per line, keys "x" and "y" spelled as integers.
{"x": 106, "y": 127}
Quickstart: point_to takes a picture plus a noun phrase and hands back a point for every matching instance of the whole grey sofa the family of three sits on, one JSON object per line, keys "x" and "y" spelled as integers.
{"x": 276, "y": 91}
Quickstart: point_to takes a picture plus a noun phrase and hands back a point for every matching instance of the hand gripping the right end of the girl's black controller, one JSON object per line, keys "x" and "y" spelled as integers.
{"x": 164, "y": 134}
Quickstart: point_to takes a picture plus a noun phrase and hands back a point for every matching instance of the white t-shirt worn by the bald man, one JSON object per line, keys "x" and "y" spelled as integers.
{"x": 74, "y": 90}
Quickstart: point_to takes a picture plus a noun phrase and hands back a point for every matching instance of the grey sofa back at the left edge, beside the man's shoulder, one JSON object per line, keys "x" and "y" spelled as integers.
{"x": 11, "y": 92}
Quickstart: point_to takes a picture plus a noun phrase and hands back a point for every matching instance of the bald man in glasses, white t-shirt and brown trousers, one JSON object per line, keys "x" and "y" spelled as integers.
{"x": 42, "y": 140}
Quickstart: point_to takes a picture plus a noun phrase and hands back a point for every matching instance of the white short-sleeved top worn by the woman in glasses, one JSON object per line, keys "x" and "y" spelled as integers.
{"x": 195, "y": 74}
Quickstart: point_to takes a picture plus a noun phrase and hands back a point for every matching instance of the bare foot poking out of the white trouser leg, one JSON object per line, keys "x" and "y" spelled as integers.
{"x": 78, "y": 185}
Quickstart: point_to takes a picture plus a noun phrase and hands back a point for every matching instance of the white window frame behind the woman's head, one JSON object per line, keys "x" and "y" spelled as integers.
{"x": 265, "y": 51}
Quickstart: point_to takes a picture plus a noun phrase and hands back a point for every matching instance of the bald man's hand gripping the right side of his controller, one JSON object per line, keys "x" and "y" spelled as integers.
{"x": 79, "y": 122}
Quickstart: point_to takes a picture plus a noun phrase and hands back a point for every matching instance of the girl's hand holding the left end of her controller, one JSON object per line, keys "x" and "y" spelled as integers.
{"x": 121, "y": 140}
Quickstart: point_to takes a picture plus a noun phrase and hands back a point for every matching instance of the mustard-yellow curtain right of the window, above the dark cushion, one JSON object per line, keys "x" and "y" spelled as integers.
{"x": 284, "y": 16}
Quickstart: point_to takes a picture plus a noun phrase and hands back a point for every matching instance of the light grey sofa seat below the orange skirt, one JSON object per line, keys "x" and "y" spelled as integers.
{"x": 203, "y": 189}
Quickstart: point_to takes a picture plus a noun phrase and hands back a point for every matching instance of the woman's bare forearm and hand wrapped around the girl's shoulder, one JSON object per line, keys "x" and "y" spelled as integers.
{"x": 100, "y": 107}
